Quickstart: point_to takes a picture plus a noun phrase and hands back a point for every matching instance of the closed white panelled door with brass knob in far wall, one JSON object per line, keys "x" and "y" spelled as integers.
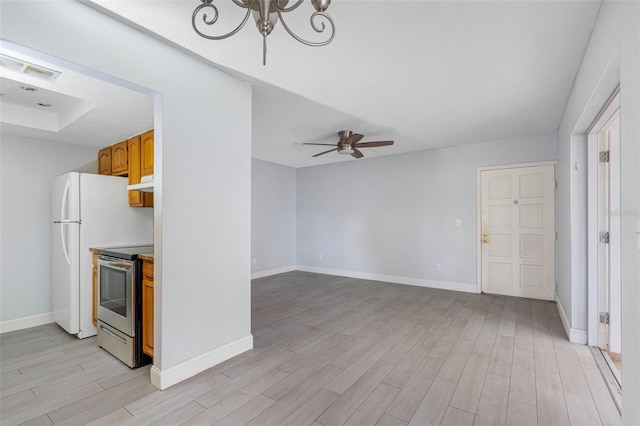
{"x": 518, "y": 231}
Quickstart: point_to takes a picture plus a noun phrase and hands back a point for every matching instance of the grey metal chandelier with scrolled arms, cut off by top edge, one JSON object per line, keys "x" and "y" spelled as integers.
{"x": 266, "y": 14}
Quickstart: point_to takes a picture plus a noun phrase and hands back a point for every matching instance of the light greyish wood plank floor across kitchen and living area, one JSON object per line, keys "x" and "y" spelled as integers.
{"x": 331, "y": 351}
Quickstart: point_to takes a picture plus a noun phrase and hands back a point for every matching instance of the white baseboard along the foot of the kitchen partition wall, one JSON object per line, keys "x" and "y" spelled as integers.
{"x": 164, "y": 378}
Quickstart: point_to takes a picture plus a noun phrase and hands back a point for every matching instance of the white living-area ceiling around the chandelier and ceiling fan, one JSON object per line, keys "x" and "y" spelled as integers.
{"x": 426, "y": 74}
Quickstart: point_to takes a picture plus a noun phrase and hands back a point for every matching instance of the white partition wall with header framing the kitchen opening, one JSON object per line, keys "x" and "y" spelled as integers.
{"x": 202, "y": 173}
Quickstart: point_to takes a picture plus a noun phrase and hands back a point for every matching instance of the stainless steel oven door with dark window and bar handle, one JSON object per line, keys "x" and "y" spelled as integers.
{"x": 115, "y": 293}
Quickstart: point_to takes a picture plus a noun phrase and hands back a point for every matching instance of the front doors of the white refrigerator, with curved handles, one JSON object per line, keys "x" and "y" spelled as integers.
{"x": 65, "y": 252}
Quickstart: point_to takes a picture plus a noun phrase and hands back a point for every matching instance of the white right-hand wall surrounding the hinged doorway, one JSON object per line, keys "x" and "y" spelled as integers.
{"x": 615, "y": 35}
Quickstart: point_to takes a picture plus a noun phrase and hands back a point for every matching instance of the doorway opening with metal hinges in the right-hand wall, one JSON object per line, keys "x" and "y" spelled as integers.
{"x": 604, "y": 248}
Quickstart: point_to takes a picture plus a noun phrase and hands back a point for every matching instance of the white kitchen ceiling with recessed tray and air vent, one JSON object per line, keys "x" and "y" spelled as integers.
{"x": 75, "y": 108}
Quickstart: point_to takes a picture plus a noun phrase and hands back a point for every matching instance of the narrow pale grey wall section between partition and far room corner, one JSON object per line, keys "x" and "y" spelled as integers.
{"x": 273, "y": 216}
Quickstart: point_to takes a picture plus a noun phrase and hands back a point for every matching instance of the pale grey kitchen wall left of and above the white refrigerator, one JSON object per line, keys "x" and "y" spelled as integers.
{"x": 26, "y": 169}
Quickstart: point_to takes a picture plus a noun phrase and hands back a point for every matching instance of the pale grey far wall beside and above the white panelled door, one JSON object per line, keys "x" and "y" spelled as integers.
{"x": 396, "y": 215}
